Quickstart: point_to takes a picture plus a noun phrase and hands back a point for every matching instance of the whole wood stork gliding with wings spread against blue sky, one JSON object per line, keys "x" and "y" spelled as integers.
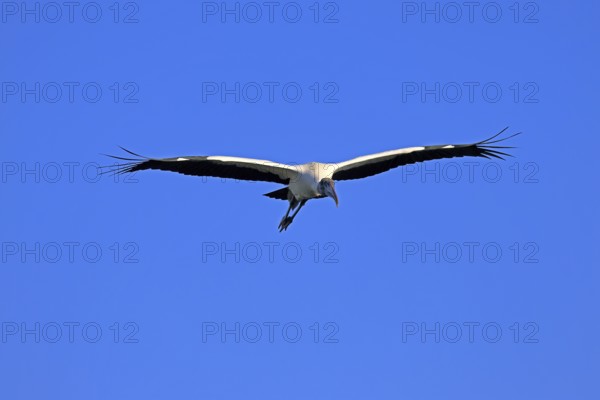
{"x": 312, "y": 180}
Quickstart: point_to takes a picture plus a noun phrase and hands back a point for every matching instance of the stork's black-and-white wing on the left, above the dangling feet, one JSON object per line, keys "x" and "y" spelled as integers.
{"x": 216, "y": 166}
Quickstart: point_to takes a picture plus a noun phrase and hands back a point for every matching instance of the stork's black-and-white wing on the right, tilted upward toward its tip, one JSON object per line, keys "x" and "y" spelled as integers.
{"x": 362, "y": 167}
